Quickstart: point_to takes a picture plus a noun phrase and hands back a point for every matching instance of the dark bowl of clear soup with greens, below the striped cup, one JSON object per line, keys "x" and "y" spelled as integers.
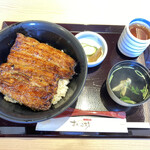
{"x": 128, "y": 83}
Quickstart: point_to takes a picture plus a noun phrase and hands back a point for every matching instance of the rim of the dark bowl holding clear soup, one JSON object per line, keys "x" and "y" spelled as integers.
{"x": 113, "y": 96}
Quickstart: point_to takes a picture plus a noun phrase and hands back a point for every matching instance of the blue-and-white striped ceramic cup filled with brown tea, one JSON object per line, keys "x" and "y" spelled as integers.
{"x": 135, "y": 38}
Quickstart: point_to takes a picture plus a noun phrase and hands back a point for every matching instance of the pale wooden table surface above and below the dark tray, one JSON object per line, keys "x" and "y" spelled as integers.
{"x": 109, "y": 12}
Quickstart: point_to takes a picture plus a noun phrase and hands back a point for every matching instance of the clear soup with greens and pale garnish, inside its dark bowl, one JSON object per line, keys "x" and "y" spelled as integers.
{"x": 129, "y": 84}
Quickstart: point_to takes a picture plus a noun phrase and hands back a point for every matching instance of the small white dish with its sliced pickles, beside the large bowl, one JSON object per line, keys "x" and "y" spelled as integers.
{"x": 94, "y": 45}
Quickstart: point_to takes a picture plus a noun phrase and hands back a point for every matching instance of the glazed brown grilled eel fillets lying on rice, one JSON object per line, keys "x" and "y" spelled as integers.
{"x": 30, "y": 75}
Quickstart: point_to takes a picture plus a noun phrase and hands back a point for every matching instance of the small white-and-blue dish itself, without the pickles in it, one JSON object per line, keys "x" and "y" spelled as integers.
{"x": 94, "y": 40}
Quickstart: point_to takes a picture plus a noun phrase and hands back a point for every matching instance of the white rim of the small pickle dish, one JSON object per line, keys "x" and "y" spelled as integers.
{"x": 104, "y": 45}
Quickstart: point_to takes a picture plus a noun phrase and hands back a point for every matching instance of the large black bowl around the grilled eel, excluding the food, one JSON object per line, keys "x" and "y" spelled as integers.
{"x": 59, "y": 38}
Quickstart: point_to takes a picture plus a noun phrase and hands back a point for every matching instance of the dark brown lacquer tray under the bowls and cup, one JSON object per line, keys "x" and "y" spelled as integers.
{"x": 94, "y": 96}
